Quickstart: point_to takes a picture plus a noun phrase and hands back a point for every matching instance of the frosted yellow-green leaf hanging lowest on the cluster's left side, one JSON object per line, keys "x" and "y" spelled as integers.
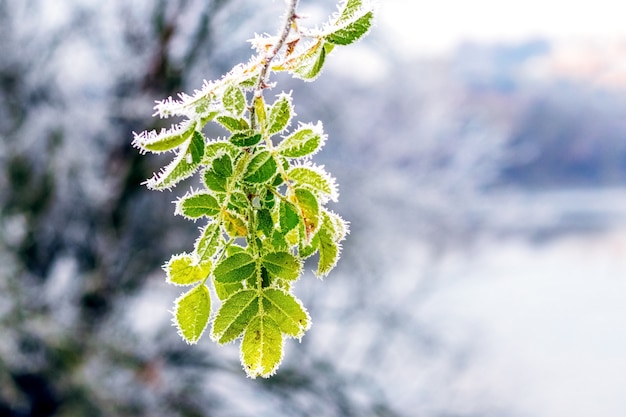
{"x": 191, "y": 313}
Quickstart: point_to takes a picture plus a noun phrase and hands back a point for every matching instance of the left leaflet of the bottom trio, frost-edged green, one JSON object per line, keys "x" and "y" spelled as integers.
{"x": 234, "y": 315}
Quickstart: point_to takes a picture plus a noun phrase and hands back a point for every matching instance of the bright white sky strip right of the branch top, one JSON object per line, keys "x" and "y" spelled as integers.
{"x": 434, "y": 27}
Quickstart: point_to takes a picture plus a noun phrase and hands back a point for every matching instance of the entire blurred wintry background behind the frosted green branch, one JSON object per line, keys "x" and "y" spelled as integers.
{"x": 480, "y": 149}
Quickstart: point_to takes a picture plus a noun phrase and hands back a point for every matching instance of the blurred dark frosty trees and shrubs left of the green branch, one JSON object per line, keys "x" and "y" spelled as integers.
{"x": 79, "y": 238}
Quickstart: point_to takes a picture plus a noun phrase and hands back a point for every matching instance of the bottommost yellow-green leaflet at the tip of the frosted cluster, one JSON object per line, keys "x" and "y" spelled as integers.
{"x": 261, "y": 347}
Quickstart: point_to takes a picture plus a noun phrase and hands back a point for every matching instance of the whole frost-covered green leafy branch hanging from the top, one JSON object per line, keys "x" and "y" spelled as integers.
{"x": 262, "y": 198}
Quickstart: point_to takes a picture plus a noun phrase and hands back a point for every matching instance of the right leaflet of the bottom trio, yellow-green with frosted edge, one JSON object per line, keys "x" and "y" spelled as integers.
{"x": 286, "y": 311}
